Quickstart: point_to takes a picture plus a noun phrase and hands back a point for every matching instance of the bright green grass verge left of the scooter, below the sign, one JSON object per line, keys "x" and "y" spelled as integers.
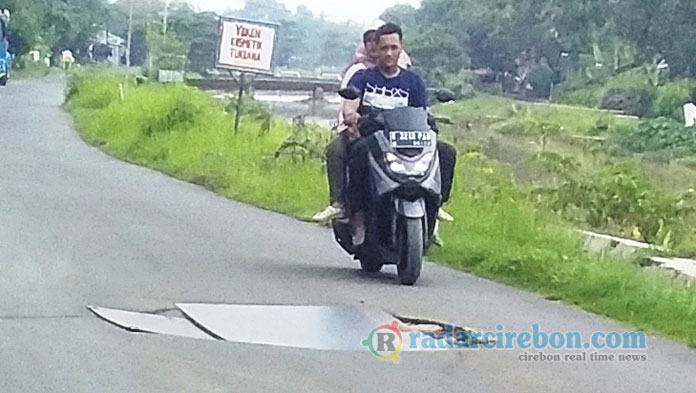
{"x": 196, "y": 144}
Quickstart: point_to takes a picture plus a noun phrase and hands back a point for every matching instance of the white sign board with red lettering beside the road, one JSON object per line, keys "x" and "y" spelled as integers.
{"x": 245, "y": 45}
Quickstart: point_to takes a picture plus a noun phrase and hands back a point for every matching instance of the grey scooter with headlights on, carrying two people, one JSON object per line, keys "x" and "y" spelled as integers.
{"x": 404, "y": 196}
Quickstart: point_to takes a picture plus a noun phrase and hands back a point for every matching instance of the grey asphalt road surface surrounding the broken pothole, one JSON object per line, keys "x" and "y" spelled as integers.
{"x": 80, "y": 228}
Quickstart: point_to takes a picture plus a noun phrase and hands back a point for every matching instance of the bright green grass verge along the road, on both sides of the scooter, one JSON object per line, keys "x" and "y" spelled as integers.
{"x": 498, "y": 233}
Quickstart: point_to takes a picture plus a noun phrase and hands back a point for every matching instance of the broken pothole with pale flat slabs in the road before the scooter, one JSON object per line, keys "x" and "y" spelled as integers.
{"x": 340, "y": 328}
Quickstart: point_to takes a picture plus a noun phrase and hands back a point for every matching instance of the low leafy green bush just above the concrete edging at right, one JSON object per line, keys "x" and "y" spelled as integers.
{"x": 616, "y": 199}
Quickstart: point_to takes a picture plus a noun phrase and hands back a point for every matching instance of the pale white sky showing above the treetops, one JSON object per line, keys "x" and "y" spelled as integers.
{"x": 357, "y": 10}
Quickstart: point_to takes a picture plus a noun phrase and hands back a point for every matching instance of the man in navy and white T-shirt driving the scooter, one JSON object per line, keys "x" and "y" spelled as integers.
{"x": 385, "y": 87}
